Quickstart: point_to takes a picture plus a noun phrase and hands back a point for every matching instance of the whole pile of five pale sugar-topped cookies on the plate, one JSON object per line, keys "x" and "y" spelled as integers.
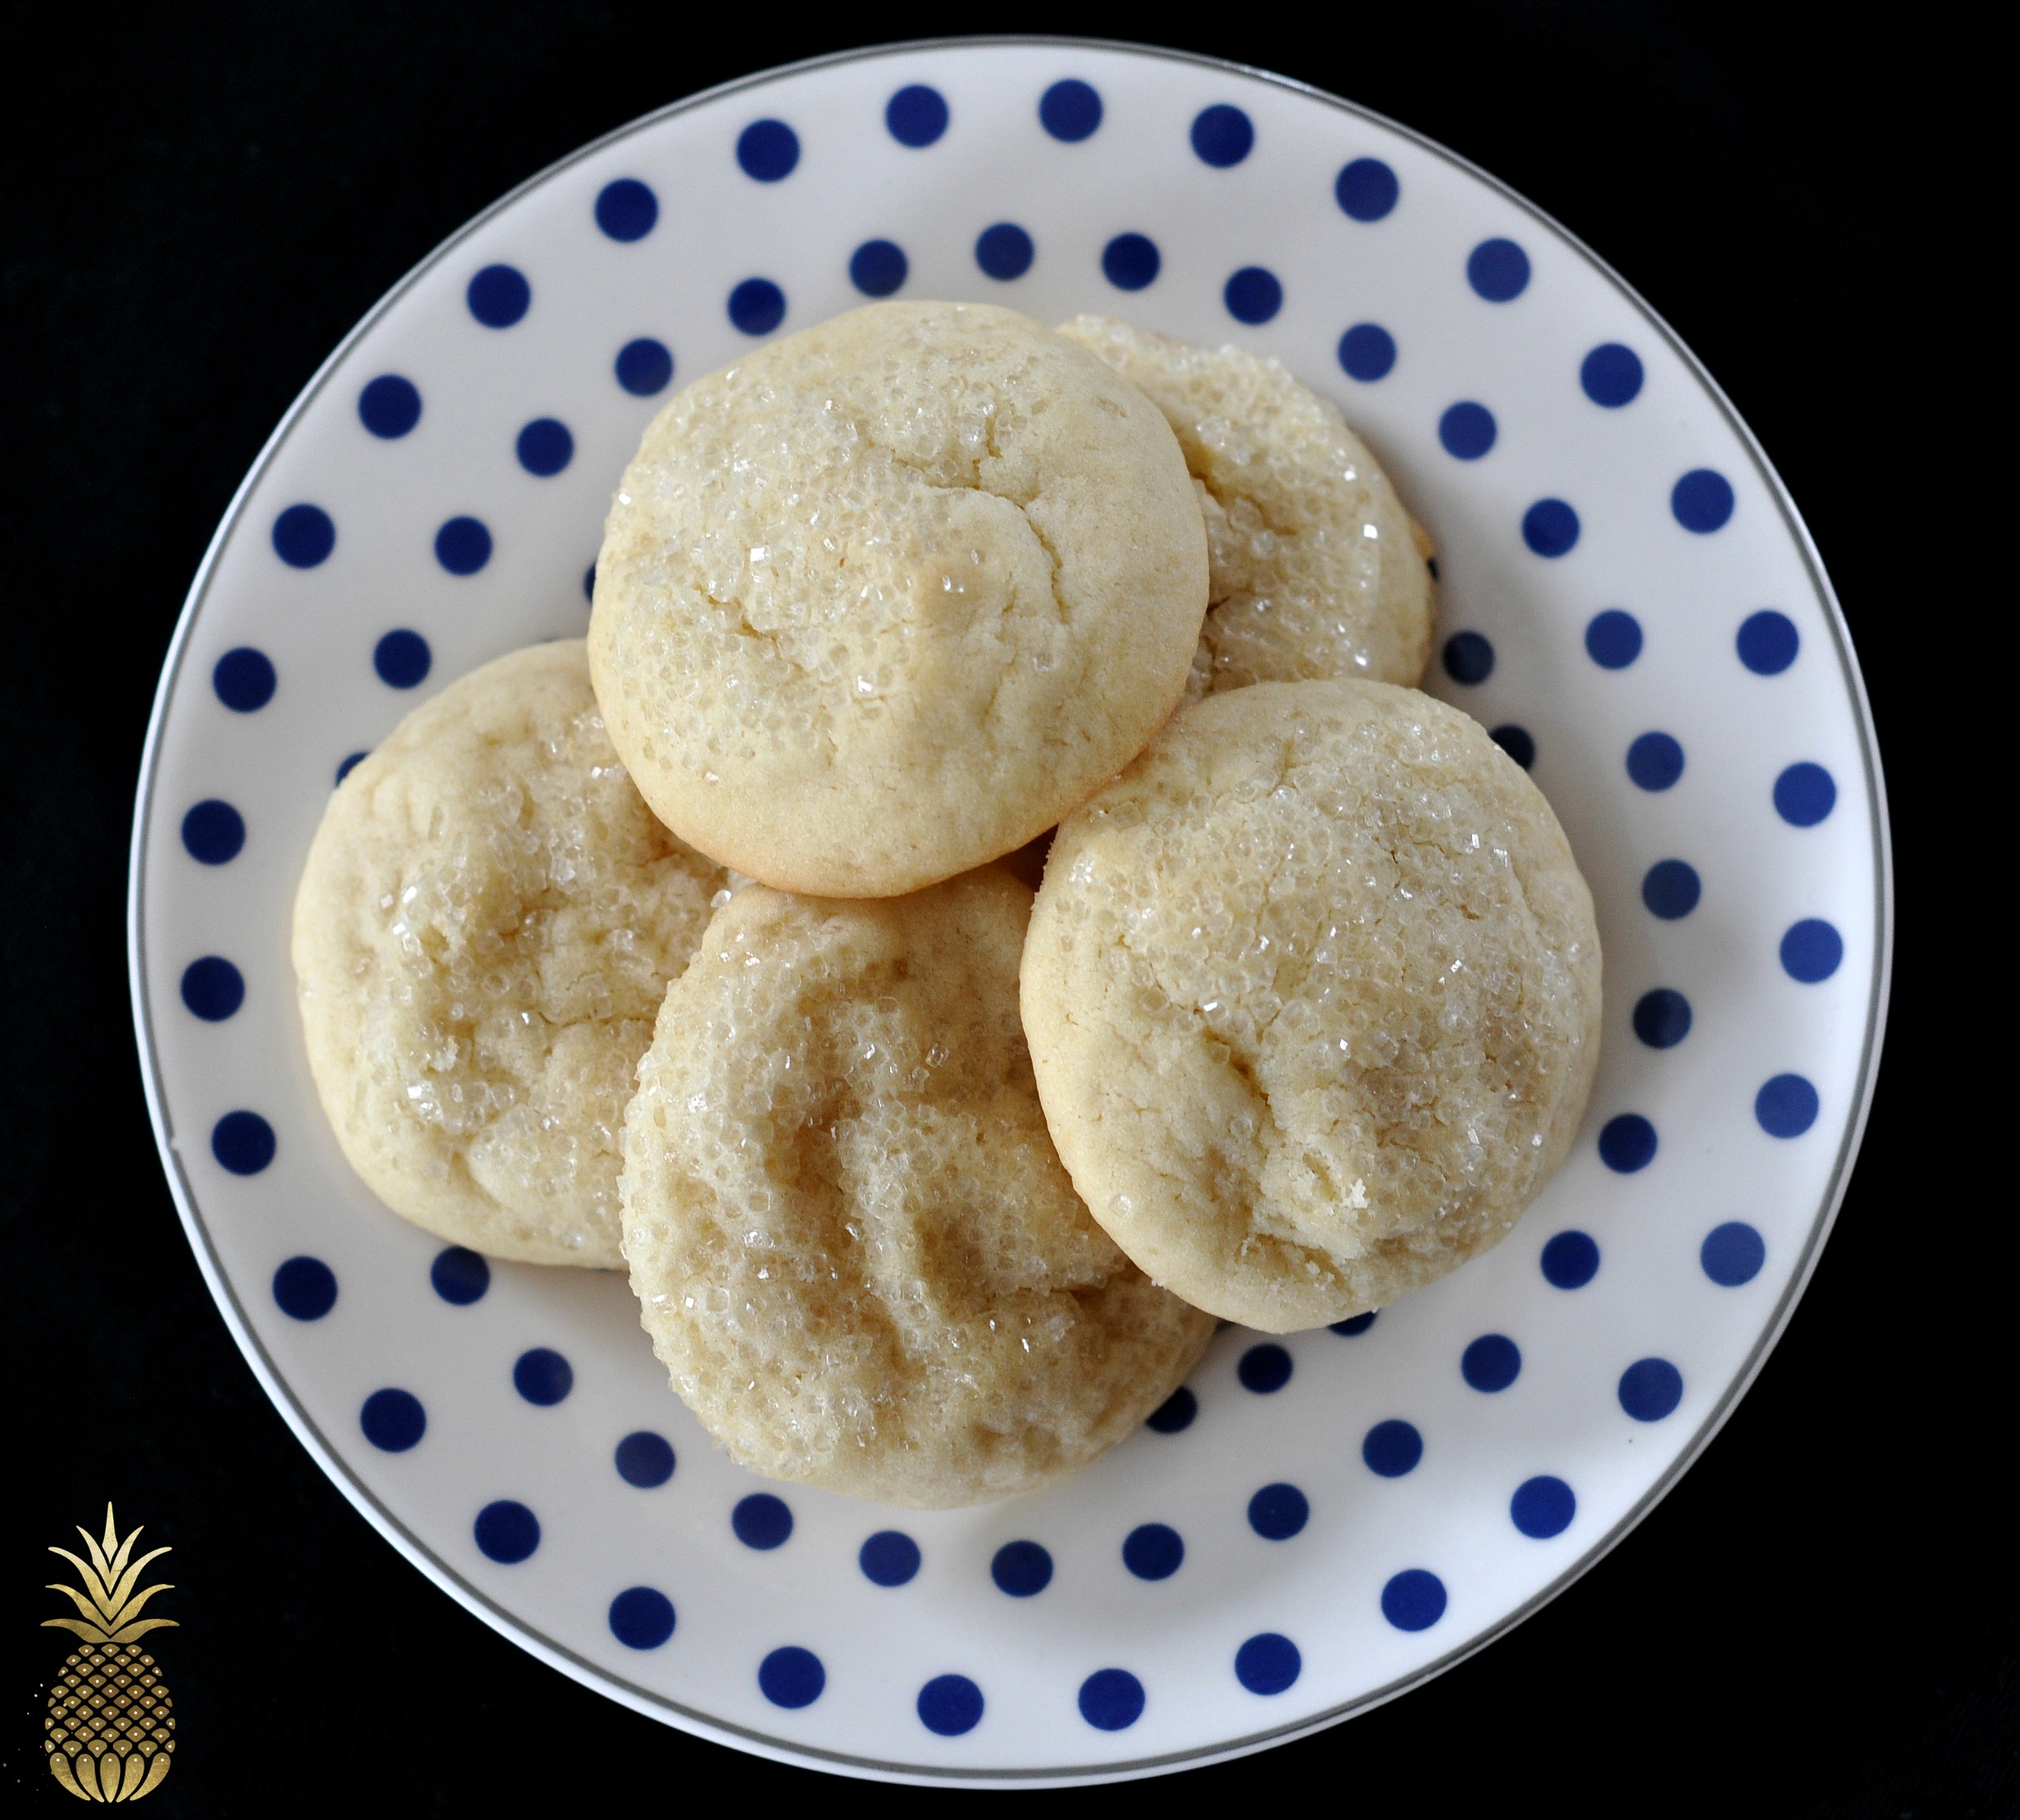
{"x": 710, "y": 948}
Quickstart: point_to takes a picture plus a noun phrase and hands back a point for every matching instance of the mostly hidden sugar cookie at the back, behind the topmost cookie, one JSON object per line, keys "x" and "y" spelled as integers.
{"x": 1316, "y": 567}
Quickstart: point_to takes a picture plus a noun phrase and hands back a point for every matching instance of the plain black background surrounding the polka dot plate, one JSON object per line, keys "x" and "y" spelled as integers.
{"x": 199, "y": 201}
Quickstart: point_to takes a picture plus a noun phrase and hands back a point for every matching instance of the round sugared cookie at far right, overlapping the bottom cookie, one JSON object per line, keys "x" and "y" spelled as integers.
{"x": 1314, "y": 999}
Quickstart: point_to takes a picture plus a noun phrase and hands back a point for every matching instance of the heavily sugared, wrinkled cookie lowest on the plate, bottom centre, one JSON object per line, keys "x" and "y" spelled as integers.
{"x": 851, "y": 1239}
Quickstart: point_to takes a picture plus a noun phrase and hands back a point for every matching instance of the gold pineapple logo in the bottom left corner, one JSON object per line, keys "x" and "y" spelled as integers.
{"x": 110, "y": 1724}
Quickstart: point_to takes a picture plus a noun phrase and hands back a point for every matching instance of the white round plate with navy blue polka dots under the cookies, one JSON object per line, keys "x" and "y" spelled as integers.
{"x": 1314, "y": 1524}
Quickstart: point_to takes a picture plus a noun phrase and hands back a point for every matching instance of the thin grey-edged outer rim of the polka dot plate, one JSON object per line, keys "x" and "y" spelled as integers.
{"x": 724, "y": 1732}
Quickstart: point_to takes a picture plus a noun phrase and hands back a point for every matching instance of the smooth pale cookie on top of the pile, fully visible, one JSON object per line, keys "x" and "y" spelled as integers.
{"x": 886, "y": 599}
